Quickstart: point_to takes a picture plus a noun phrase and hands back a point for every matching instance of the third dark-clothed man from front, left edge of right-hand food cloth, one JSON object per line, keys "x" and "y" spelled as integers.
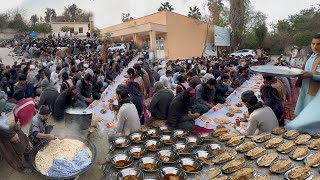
{"x": 221, "y": 89}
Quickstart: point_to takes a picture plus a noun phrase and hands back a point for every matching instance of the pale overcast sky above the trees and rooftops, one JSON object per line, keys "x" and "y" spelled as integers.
{"x": 108, "y": 12}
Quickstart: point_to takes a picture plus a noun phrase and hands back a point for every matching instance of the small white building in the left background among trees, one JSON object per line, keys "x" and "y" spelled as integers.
{"x": 79, "y": 29}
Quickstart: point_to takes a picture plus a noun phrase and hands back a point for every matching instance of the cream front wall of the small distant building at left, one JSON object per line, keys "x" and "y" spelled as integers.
{"x": 56, "y": 26}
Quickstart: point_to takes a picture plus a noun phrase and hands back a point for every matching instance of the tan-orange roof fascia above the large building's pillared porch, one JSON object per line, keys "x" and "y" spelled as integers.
{"x": 157, "y": 18}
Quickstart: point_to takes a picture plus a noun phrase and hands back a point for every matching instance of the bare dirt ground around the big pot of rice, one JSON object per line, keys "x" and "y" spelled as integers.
{"x": 98, "y": 138}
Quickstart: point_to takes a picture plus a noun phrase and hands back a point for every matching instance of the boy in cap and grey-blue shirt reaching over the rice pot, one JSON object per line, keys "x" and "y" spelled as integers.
{"x": 39, "y": 129}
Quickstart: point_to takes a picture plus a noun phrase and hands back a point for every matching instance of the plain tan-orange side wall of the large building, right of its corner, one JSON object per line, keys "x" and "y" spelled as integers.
{"x": 186, "y": 36}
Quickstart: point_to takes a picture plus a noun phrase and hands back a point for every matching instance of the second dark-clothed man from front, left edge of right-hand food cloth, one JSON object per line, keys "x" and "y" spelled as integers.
{"x": 205, "y": 93}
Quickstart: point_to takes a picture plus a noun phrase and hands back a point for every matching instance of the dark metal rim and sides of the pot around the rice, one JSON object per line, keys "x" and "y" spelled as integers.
{"x": 43, "y": 144}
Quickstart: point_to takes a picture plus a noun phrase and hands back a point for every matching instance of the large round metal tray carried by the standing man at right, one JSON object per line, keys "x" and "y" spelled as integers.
{"x": 280, "y": 71}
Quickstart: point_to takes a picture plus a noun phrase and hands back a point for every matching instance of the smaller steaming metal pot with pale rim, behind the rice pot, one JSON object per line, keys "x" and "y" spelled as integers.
{"x": 78, "y": 118}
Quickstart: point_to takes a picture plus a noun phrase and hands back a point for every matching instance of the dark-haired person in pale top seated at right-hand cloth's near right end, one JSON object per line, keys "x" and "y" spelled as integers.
{"x": 261, "y": 118}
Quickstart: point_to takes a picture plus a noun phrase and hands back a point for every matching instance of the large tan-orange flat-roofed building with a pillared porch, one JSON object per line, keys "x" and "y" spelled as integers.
{"x": 167, "y": 34}
